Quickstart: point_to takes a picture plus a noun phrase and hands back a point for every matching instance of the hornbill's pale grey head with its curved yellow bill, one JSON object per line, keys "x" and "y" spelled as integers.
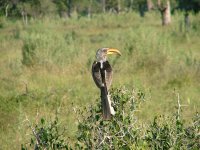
{"x": 102, "y": 53}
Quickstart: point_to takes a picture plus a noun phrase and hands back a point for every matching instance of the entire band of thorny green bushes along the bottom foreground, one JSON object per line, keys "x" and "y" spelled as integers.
{"x": 123, "y": 131}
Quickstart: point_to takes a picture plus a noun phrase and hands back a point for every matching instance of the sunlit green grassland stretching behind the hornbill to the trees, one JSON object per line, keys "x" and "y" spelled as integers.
{"x": 46, "y": 66}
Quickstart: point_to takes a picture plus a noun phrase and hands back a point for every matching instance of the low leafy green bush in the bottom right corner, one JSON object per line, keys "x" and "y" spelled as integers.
{"x": 171, "y": 132}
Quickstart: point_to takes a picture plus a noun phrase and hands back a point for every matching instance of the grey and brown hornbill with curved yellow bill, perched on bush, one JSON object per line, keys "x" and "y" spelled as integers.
{"x": 102, "y": 75}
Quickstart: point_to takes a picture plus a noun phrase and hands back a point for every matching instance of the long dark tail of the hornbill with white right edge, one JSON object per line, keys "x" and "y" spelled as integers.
{"x": 106, "y": 104}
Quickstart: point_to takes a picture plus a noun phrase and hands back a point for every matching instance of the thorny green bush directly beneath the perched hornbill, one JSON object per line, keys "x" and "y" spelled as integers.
{"x": 119, "y": 133}
